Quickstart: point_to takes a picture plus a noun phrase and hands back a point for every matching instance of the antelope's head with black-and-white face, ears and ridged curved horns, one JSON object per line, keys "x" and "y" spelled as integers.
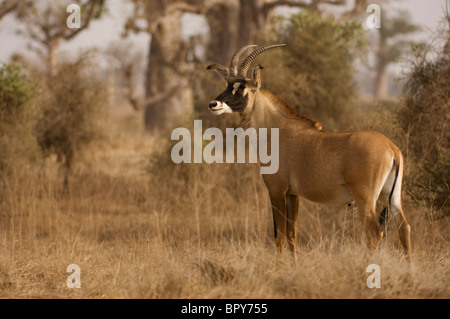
{"x": 240, "y": 92}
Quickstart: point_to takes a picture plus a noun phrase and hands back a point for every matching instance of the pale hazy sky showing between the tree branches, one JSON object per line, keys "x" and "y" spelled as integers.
{"x": 426, "y": 13}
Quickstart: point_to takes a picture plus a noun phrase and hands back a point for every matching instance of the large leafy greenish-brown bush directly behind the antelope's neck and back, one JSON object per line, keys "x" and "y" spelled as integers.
{"x": 314, "y": 72}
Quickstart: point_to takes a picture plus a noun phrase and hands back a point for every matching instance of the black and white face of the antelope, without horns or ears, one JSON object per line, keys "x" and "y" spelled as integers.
{"x": 233, "y": 99}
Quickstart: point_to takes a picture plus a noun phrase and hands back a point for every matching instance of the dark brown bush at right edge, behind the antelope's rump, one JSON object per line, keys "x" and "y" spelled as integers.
{"x": 425, "y": 118}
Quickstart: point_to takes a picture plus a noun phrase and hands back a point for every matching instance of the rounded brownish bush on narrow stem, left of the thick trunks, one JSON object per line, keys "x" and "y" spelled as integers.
{"x": 72, "y": 106}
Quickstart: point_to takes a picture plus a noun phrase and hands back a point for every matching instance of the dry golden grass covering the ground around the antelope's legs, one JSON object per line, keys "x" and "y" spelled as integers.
{"x": 191, "y": 232}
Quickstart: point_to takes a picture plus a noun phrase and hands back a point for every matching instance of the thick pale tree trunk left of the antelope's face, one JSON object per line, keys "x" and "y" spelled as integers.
{"x": 167, "y": 83}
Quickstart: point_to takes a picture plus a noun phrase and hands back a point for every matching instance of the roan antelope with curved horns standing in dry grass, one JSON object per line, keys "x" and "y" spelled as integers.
{"x": 325, "y": 167}
